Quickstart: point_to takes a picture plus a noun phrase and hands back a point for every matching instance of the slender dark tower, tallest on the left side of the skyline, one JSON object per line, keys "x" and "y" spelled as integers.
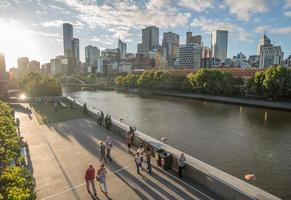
{"x": 68, "y": 38}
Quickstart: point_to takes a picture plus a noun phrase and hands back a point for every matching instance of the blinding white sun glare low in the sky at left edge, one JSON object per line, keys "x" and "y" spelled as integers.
{"x": 16, "y": 41}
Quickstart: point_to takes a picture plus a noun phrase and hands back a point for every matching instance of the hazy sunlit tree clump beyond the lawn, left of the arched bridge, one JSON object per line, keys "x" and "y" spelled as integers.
{"x": 36, "y": 85}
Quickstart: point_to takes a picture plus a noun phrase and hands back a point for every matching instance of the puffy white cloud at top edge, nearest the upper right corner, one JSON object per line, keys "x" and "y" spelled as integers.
{"x": 245, "y": 9}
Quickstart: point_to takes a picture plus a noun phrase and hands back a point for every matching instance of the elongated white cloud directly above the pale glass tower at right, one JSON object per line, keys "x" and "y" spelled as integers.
{"x": 209, "y": 25}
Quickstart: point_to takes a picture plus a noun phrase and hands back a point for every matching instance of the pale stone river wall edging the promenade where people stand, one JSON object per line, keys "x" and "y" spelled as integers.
{"x": 221, "y": 183}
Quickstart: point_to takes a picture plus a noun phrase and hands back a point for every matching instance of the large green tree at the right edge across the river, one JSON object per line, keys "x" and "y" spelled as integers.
{"x": 272, "y": 83}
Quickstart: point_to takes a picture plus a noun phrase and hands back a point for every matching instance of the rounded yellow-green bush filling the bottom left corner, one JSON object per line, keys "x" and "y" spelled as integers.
{"x": 17, "y": 184}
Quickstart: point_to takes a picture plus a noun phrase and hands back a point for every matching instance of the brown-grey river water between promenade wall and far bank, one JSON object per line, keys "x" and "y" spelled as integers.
{"x": 238, "y": 140}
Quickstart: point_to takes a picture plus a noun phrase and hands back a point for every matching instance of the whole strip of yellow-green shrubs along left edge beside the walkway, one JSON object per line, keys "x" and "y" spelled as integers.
{"x": 16, "y": 183}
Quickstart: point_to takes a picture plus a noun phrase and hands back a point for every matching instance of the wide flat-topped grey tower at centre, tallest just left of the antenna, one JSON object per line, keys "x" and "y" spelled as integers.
{"x": 150, "y": 38}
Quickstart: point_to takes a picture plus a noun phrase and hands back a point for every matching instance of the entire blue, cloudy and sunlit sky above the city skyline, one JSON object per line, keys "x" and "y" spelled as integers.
{"x": 33, "y": 28}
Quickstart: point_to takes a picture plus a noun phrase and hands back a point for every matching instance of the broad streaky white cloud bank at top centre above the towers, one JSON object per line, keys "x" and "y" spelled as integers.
{"x": 128, "y": 13}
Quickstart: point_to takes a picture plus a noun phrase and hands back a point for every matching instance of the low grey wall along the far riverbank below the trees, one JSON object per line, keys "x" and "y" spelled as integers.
{"x": 244, "y": 101}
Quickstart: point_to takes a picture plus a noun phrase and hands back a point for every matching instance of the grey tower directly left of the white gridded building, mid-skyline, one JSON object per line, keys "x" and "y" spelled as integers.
{"x": 170, "y": 45}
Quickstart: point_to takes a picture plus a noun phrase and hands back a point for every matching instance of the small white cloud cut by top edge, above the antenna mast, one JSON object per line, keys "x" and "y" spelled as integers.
{"x": 196, "y": 5}
